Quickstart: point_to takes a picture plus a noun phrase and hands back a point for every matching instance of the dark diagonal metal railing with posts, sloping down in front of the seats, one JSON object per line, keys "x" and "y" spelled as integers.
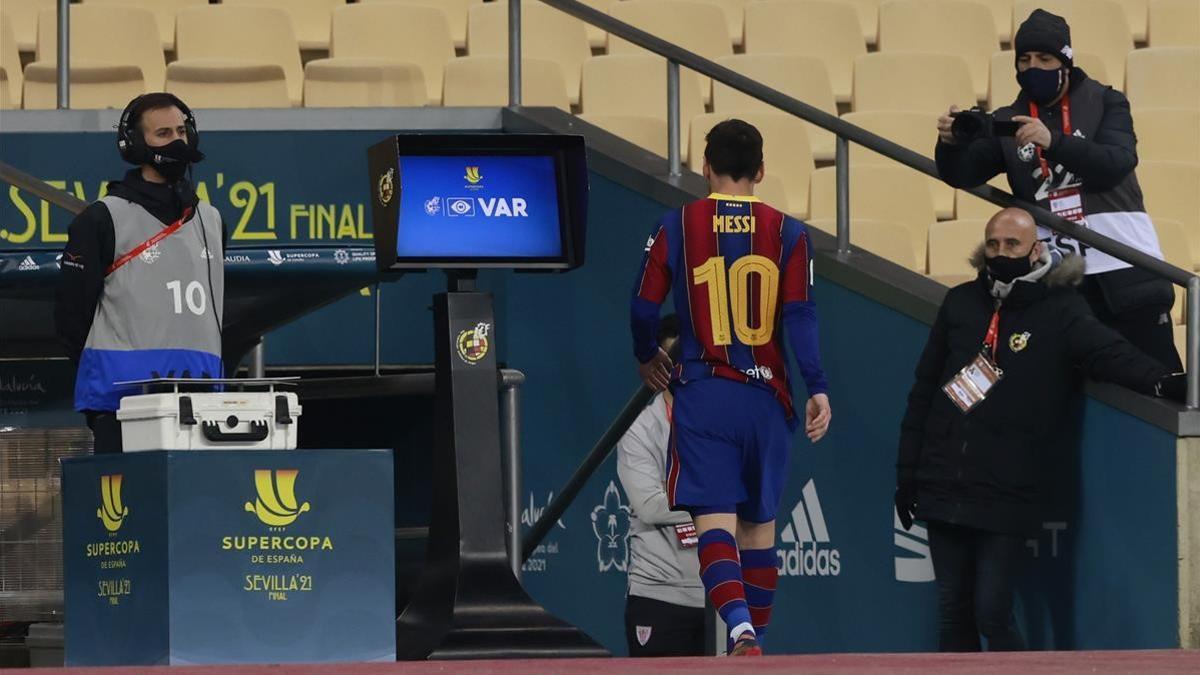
{"x": 849, "y": 134}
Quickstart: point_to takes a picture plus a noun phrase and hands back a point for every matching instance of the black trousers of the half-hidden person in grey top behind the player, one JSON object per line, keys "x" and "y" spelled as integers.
{"x": 658, "y": 629}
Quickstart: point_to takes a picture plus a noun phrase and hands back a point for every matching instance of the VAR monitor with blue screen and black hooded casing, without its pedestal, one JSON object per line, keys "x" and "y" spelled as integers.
{"x": 513, "y": 201}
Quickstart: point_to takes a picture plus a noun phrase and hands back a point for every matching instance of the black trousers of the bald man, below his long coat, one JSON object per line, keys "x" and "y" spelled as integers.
{"x": 976, "y": 574}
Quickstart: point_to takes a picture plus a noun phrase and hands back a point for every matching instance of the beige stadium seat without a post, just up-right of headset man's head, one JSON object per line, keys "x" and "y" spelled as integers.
{"x": 236, "y": 43}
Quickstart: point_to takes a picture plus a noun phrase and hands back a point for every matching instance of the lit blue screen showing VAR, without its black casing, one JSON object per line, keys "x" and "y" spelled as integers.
{"x": 479, "y": 207}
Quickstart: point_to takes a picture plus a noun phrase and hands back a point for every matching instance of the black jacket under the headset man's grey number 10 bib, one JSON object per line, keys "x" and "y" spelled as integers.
{"x": 89, "y": 253}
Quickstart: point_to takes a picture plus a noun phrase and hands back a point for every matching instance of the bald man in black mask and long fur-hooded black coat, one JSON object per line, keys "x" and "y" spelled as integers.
{"x": 976, "y": 477}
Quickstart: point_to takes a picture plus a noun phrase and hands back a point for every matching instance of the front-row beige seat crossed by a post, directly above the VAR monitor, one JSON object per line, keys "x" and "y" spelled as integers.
{"x": 484, "y": 81}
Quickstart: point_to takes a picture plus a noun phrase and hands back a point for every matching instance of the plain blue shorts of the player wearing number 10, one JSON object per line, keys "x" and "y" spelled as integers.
{"x": 730, "y": 446}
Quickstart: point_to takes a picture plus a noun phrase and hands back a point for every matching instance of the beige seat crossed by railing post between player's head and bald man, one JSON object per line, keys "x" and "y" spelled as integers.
{"x": 884, "y": 194}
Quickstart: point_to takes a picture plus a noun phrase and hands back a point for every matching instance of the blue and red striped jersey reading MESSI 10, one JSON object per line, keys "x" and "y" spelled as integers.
{"x": 741, "y": 272}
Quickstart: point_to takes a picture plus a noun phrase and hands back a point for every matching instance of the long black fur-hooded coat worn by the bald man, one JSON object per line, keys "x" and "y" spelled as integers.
{"x": 986, "y": 469}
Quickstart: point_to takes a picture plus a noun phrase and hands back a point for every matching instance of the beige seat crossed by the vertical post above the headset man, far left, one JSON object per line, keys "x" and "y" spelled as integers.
{"x": 101, "y": 38}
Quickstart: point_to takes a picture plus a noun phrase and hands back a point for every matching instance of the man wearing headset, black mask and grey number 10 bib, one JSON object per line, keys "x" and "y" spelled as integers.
{"x": 142, "y": 288}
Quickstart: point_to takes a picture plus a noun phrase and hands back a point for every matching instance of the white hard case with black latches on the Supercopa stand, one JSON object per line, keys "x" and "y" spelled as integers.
{"x": 257, "y": 421}
